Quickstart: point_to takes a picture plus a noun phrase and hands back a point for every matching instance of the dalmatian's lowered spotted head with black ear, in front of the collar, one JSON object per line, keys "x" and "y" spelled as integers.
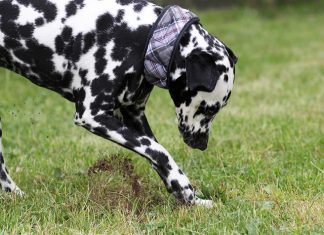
{"x": 202, "y": 77}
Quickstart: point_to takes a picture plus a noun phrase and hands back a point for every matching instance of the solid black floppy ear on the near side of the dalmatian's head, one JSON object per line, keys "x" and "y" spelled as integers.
{"x": 202, "y": 73}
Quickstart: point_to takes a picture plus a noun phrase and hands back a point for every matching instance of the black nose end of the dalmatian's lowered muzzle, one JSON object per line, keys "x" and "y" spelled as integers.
{"x": 196, "y": 140}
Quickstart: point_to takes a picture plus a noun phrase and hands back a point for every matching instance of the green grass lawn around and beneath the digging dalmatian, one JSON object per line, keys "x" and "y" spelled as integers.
{"x": 264, "y": 166}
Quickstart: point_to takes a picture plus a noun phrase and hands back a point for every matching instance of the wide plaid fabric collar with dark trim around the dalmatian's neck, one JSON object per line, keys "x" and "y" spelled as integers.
{"x": 163, "y": 39}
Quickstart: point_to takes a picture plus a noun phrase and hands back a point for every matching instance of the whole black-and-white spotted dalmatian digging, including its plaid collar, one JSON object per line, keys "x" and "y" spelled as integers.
{"x": 106, "y": 56}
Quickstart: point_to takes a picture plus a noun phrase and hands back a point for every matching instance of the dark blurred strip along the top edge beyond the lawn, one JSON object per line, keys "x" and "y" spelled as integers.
{"x": 203, "y": 4}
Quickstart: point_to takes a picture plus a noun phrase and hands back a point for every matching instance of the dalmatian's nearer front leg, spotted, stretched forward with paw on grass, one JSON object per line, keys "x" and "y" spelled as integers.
{"x": 109, "y": 127}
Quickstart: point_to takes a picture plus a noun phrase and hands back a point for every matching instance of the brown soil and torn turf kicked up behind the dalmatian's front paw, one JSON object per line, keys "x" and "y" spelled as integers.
{"x": 114, "y": 184}
